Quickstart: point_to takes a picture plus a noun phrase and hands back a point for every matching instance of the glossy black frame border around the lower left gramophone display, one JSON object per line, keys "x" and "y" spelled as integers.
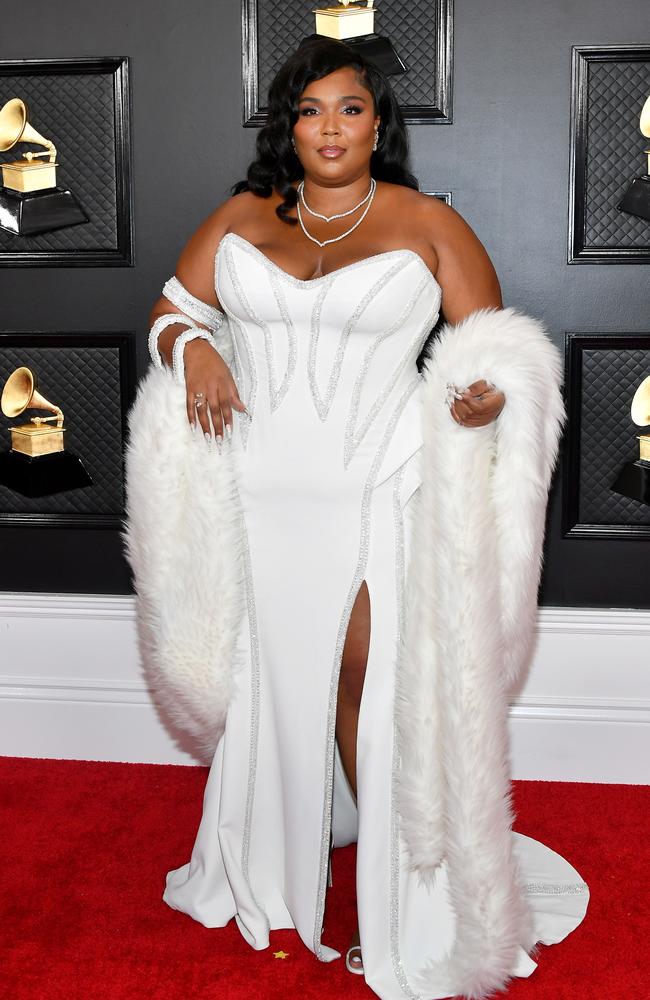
{"x": 125, "y": 341}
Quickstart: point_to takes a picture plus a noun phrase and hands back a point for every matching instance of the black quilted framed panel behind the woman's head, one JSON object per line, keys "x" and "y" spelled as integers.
{"x": 422, "y": 35}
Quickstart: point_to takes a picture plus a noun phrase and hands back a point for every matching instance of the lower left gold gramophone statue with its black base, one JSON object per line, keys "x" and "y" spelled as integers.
{"x": 38, "y": 464}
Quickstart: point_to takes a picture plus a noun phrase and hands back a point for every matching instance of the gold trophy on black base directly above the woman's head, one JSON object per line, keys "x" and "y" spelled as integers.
{"x": 352, "y": 21}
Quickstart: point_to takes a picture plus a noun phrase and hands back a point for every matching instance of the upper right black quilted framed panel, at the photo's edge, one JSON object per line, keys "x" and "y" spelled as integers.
{"x": 610, "y": 86}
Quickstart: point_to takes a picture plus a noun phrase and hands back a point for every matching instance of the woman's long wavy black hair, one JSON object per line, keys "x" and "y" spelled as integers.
{"x": 276, "y": 164}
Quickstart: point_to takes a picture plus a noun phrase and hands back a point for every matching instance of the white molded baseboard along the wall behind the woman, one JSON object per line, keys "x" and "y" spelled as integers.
{"x": 71, "y": 687}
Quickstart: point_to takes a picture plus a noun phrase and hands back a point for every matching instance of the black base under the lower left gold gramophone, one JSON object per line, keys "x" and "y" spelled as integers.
{"x": 44, "y": 475}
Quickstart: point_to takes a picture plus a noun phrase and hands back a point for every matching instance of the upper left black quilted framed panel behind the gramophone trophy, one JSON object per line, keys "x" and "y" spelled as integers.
{"x": 82, "y": 106}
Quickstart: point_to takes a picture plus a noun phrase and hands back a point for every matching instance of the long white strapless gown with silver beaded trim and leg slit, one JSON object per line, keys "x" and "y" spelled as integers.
{"x": 327, "y": 464}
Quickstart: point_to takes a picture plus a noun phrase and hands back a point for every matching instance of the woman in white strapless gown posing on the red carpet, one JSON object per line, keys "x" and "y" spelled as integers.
{"x": 331, "y": 269}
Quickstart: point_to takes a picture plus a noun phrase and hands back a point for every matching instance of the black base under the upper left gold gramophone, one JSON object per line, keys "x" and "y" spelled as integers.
{"x": 33, "y": 212}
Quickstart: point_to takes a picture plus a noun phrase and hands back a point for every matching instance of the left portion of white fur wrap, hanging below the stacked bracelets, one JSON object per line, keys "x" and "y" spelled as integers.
{"x": 184, "y": 543}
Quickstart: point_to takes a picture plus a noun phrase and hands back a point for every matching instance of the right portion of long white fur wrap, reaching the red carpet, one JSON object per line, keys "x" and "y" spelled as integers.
{"x": 471, "y": 607}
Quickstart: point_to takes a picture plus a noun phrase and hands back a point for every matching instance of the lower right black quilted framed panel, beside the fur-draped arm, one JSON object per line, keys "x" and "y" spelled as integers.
{"x": 603, "y": 371}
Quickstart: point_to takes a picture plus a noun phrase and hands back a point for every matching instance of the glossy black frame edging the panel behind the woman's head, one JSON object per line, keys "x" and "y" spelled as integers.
{"x": 437, "y": 113}
